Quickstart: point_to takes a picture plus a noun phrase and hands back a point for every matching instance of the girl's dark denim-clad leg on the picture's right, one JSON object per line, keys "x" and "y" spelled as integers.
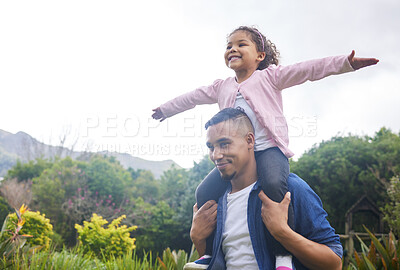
{"x": 273, "y": 172}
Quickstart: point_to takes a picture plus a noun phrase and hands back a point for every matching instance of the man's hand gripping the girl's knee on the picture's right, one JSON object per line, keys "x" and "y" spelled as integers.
{"x": 275, "y": 215}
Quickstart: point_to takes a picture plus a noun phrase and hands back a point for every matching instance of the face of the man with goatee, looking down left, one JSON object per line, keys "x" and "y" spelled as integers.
{"x": 229, "y": 148}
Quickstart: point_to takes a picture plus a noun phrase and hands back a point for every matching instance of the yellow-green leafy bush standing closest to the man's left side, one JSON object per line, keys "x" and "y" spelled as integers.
{"x": 112, "y": 241}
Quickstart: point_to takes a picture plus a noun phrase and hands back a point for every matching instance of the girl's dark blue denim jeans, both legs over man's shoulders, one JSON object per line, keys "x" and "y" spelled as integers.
{"x": 272, "y": 170}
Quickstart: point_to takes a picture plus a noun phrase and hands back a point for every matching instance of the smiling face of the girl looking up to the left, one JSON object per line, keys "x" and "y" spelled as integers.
{"x": 241, "y": 53}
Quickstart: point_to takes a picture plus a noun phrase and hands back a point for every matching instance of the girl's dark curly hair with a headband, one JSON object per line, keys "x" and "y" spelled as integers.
{"x": 271, "y": 53}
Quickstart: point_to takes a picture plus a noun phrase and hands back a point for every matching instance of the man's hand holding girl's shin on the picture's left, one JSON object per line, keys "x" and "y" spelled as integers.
{"x": 203, "y": 224}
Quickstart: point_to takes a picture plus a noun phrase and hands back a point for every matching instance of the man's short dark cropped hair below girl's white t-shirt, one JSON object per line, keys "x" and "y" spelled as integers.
{"x": 237, "y": 115}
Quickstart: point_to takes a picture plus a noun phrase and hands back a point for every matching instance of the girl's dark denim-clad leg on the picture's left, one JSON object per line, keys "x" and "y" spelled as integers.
{"x": 211, "y": 188}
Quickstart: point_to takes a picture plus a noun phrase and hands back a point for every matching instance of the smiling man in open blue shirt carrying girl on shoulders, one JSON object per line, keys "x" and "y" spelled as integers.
{"x": 245, "y": 216}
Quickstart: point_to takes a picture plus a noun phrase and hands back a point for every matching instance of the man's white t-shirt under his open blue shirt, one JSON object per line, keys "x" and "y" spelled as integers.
{"x": 236, "y": 242}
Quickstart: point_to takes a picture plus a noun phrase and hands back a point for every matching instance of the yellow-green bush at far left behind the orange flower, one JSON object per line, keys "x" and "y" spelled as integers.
{"x": 36, "y": 225}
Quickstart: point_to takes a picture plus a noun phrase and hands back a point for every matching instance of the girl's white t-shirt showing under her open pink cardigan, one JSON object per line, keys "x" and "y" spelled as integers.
{"x": 263, "y": 139}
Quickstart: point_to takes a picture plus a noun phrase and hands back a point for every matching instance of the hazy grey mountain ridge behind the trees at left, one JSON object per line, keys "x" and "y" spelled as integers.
{"x": 24, "y": 147}
